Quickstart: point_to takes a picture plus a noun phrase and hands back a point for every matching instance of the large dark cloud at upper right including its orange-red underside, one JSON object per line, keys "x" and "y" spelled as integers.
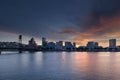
{"x": 102, "y": 18}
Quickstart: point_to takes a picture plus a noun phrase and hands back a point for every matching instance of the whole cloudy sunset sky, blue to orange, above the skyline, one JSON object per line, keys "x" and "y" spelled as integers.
{"x": 77, "y": 21}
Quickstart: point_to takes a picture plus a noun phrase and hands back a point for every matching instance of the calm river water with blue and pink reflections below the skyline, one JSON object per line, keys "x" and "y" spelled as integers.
{"x": 60, "y": 66}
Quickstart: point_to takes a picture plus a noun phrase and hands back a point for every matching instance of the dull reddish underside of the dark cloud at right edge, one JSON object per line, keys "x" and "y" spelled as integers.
{"x": 107, "y": 24}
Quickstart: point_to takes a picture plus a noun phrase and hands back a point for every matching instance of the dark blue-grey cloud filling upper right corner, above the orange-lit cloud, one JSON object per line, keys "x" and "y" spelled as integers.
{"x": 101, "y": 9}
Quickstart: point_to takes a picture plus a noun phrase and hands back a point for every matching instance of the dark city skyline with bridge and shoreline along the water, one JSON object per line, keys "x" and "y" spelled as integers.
{"x": 58, "y": 46}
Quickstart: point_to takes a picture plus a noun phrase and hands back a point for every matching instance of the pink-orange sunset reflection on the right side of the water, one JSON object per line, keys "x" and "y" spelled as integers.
{"x": 100, "y": 66}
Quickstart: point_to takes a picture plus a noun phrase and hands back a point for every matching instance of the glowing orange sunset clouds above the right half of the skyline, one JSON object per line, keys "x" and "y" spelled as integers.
{"x": 106, "y": 29}
